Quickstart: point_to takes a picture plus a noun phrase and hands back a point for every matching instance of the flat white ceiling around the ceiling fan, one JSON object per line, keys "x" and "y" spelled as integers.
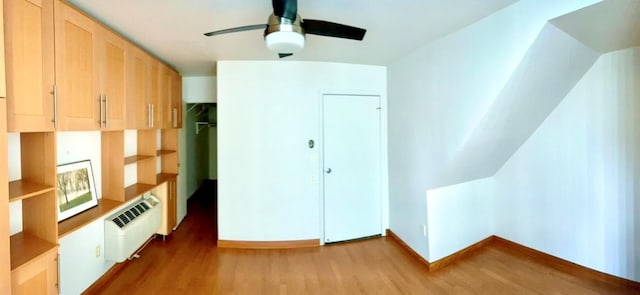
{"x": 173, "y": 30}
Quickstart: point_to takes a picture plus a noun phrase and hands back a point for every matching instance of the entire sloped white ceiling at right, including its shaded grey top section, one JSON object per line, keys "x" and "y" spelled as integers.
{"x": 563, "y": 52}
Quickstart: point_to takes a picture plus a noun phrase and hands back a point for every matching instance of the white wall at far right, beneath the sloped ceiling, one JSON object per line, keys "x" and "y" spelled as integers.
{"x": 572, "y": 189}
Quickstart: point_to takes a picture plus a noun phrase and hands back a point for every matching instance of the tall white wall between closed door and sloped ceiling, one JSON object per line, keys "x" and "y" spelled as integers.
{"x": 440, "y": 92}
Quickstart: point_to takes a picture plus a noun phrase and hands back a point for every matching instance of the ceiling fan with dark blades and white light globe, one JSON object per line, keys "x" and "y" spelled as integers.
{"x": 285, "y": 30}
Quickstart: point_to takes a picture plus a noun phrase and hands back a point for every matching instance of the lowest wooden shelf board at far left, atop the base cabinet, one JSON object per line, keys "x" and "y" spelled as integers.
{"x": 25, "y": 247}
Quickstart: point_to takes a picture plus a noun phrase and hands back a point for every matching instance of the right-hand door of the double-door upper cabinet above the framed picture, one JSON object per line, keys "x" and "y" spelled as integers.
{"x": 111, "y": 58}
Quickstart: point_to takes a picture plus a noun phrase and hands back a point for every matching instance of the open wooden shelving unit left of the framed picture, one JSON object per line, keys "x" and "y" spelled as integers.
{"x": 31, "y": 249}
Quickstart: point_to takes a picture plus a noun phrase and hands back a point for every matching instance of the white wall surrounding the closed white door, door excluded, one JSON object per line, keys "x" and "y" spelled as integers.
{"x": 268, "y": 188}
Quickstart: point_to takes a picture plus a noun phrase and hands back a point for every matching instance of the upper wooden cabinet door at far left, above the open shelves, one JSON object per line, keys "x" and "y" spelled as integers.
{"x": 29, "y": 57}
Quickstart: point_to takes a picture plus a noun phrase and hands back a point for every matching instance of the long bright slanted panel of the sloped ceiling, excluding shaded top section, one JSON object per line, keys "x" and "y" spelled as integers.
{"x": 552, "y": 66}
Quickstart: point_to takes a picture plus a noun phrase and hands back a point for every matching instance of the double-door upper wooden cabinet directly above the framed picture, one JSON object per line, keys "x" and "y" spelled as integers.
{"x": 90, "y": 73}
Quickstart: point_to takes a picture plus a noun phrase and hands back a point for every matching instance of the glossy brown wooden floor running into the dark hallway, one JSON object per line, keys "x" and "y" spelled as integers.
{"x": 189, "y": 263}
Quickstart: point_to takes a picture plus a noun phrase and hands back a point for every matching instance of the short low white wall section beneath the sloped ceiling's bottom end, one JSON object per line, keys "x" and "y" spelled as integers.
{"x": 459, "y": 216}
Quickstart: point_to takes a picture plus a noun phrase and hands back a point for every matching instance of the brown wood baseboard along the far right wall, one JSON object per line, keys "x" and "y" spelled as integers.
{"x": 561, "y": 264}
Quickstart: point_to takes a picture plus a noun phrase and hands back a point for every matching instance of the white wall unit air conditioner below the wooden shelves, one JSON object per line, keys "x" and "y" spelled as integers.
{"x": 128, "y": 229}
